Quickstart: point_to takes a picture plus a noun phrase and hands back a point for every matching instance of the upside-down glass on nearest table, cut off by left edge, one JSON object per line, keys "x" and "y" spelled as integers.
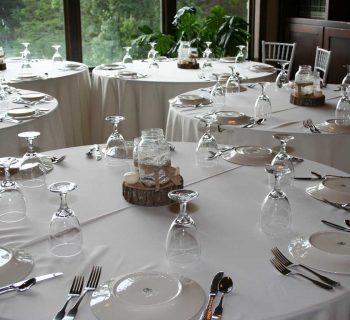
{"x": 12, "y": 202}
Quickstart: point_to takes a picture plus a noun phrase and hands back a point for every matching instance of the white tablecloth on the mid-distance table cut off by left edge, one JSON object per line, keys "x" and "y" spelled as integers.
{"x": 49, "y": 124}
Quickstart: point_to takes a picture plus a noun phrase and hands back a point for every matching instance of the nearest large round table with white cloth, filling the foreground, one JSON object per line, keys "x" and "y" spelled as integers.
{"x": 125, "y": 239}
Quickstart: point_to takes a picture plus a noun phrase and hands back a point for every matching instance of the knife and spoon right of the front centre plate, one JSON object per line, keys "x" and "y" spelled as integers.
{"x": 220, "y": 283}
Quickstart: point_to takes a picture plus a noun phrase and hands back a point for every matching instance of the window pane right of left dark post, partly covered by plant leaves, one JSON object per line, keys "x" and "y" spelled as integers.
{"x": 108, "y": 26}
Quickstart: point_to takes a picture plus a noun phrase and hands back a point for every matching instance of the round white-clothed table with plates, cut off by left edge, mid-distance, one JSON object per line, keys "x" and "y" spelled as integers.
{"x": 44, "y": 118}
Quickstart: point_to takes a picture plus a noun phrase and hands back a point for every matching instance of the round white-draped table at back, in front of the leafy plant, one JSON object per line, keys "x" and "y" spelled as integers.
{"x": 143, "y": 99}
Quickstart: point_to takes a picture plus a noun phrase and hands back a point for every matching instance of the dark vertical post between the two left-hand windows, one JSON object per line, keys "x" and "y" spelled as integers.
{"x": 72, "y": 24}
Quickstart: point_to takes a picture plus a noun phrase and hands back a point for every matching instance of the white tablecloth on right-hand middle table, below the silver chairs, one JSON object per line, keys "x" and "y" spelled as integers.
{"x": 330, "y": 149}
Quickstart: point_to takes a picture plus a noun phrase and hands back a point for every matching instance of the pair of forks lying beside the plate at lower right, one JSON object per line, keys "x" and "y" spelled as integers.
{"x": 285, "y": 266}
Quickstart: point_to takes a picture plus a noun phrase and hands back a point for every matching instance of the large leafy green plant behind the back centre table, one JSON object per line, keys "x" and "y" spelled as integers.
{"x": 223, "y": 31}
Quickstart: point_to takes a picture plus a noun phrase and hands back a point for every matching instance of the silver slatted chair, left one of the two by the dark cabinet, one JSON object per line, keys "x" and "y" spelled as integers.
{"x": 274, "y": 52}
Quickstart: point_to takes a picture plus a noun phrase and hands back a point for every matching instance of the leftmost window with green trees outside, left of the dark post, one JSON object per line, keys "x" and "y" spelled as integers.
{"x": 40, "y": 23}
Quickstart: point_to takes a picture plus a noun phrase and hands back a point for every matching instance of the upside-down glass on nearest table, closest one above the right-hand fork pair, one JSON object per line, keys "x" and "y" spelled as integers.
{"x": 275, "y": 215}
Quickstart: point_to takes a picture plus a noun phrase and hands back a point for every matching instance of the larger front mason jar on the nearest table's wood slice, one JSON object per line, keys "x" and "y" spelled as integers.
{"x": 153, "y": 155}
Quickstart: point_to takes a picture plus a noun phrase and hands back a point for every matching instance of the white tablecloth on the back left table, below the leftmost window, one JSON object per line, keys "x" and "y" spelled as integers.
{"x": 70, "y": 87}
